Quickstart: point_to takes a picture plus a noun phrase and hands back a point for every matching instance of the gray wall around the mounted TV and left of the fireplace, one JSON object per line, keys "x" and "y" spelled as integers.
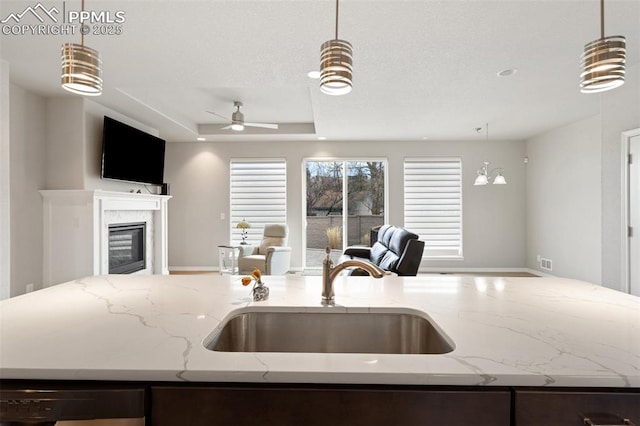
{"x": 52, "y": 143}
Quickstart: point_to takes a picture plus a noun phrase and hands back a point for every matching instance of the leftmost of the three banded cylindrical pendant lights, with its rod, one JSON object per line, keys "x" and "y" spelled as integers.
{"x": 81, "y": 67}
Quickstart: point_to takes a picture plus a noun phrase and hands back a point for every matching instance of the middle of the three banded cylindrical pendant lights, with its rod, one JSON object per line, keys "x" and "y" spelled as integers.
{"x": 336, "y": 65}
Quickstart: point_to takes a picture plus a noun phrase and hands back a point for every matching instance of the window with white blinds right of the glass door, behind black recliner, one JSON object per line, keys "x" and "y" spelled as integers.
{"x": 433, "y": 204}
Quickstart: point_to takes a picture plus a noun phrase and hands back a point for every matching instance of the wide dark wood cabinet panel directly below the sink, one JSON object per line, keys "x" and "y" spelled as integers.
{"x": 239, "y": 405}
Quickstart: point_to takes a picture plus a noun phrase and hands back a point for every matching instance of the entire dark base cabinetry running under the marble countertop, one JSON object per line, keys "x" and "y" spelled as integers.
{"x": 240, "y": 404}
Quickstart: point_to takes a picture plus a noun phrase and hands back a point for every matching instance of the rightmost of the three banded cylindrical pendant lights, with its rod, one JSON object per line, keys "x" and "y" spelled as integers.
{"x": 603, "y": 61}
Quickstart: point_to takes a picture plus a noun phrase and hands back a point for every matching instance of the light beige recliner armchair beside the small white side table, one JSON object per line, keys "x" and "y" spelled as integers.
{"x": 272, "y": 256}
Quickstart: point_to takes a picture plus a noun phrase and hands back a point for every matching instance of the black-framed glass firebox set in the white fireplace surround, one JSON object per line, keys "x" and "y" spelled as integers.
{"x": 127, "y": 247}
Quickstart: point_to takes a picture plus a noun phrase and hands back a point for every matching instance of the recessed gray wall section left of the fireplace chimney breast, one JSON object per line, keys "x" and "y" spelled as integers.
{"x": 27, "y": 177}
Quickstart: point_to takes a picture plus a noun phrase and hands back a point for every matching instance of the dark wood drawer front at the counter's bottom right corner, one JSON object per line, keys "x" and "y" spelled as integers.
{"x": 569, "y": 408}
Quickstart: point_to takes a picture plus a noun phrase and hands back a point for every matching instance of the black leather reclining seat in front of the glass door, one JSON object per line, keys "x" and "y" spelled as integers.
{"x": 396, "y": 250}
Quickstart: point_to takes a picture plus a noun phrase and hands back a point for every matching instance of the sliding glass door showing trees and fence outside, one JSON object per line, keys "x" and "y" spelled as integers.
{"x": 344, "y": 200}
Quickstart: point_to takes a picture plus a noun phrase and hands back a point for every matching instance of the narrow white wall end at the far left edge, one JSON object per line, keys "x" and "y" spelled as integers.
{"x": 5, "y": 187}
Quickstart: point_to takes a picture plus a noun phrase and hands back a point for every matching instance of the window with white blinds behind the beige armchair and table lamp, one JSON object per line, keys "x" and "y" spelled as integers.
{"x": 258, "y": 195}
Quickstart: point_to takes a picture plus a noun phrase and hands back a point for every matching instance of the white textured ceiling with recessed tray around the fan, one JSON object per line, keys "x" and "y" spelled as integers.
{"x": 422, "y": 69}
